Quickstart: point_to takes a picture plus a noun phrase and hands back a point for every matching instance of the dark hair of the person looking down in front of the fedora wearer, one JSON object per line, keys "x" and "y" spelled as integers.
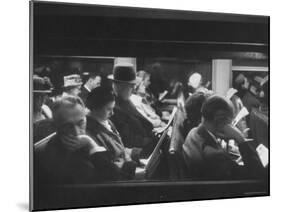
{"x": 99, "y": 97}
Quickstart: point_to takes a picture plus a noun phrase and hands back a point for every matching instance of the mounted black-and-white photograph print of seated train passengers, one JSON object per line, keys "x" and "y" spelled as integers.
{"x": 134, "y": 106}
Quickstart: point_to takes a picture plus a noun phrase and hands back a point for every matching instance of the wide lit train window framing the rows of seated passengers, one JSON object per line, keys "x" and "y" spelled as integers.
{"x": 145, "y": 113}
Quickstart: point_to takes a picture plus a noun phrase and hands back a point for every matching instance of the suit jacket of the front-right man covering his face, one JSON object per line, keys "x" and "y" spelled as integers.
{"x": 205, "y": 158}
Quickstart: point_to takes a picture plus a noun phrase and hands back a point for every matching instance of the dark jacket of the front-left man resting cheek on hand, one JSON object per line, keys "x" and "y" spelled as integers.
{"x": 54, "y": 164}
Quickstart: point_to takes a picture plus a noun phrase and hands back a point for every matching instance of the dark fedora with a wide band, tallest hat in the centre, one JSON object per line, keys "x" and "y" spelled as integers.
{"x": 124, "y": 73}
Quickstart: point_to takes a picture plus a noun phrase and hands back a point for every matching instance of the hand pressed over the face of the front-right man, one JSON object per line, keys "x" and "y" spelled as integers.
{"x": 230, "y": 132}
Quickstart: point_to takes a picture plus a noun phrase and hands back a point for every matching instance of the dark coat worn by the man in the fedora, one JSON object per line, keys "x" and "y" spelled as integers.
{"x": 135, "y": 130}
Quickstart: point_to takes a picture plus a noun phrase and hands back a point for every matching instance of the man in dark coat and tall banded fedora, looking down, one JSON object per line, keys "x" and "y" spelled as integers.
{"x": 135, "y": 130}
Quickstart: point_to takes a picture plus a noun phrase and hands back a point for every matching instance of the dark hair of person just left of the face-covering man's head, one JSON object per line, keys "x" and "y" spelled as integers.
{"x": 193, "y": 107}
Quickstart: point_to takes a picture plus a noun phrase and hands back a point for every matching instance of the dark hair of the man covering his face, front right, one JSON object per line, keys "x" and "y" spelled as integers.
{"x": 215, "y": 104}
